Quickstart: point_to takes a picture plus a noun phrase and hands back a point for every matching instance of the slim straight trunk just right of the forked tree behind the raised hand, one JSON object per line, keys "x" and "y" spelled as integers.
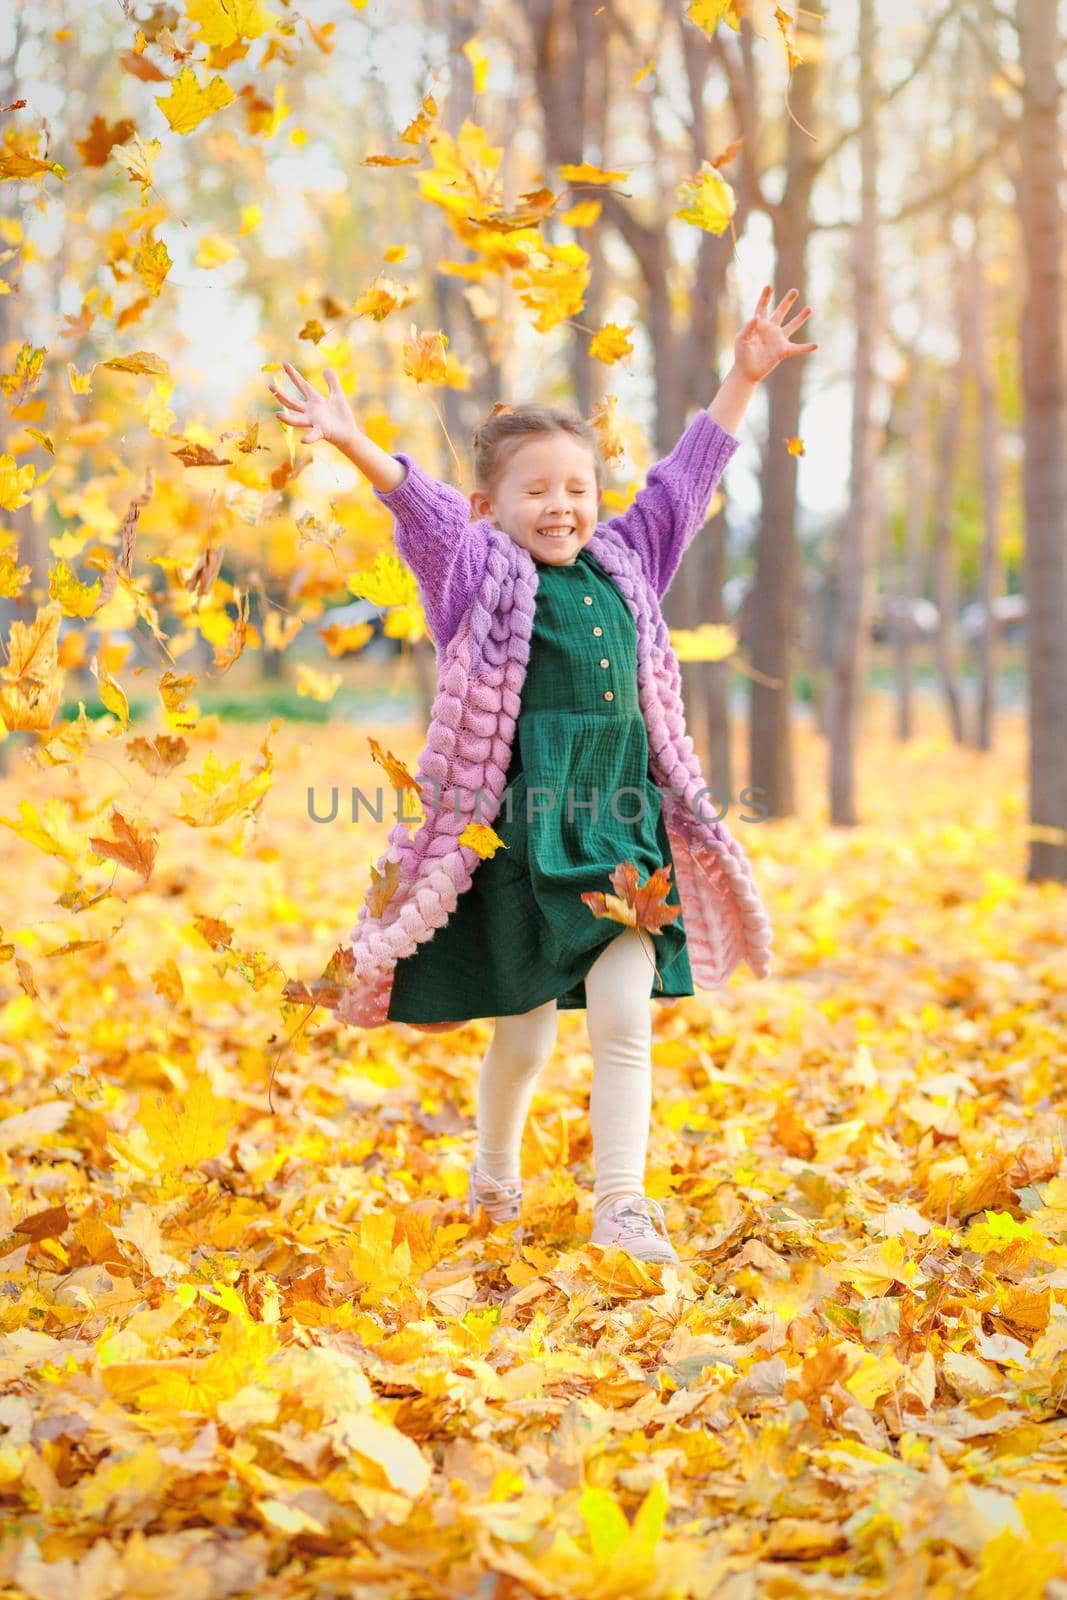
{"x": 852, "y": 636}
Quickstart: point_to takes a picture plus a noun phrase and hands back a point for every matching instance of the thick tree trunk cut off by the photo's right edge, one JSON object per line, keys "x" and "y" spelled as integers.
{"x": 1045, "y": 436}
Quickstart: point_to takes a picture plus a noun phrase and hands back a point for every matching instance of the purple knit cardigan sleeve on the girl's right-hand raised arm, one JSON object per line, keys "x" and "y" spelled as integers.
{"x": 671, "y": 510}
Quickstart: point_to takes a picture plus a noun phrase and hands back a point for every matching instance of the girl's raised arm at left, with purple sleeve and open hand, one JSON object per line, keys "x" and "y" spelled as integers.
{"x": 433, "y": 521}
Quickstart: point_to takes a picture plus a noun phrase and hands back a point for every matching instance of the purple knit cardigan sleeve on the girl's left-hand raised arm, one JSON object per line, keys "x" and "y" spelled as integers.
{"x": 446, "y": 551}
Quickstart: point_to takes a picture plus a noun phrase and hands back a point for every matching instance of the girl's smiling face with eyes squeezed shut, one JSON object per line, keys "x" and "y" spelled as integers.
{"x": 545, "y": 498}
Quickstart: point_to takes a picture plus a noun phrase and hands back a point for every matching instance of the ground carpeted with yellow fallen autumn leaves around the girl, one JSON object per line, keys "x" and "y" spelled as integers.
{"x": 250, "y": 1342}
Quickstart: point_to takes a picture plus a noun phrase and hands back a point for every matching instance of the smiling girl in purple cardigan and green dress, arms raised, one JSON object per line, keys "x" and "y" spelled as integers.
{"x": 557, "y": 710}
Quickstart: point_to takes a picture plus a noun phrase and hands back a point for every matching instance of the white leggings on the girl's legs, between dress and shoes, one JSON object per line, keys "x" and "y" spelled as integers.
{"x": 618, "y": 1017}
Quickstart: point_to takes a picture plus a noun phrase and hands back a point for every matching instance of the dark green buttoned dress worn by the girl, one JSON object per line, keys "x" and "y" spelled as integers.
{"x": 522, "y": 935}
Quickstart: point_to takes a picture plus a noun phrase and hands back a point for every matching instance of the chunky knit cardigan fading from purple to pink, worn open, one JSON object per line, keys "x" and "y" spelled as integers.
{"x": 478, "y": 590}
